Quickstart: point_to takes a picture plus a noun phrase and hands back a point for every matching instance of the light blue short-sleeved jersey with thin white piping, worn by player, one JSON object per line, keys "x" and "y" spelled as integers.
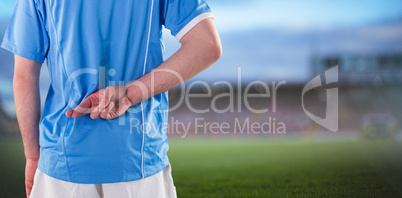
{"x": 89, "y": 45}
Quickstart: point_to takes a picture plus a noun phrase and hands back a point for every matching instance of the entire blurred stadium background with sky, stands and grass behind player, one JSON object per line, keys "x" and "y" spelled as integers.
{"x": 273, "y": 42}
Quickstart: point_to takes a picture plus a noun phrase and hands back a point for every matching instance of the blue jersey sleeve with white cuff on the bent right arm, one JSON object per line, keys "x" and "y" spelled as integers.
{"x": 182, "y": 15}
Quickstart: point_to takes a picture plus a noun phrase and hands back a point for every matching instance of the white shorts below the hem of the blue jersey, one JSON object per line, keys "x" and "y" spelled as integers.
{"x": 159, "y": 185}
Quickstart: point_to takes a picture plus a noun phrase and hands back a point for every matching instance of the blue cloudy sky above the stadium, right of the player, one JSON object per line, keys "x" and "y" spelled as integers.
{"x": 271, "y": 40}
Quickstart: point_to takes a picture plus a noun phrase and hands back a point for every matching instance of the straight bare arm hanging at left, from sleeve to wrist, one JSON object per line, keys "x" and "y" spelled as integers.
{"x": 27, "y": 104}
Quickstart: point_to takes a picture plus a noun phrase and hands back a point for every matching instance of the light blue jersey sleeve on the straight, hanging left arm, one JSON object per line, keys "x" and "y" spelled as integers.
{"x": 26, "y": 34}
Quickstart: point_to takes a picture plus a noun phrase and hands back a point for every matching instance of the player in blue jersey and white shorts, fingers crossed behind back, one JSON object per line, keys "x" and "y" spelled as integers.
{"x": 109, "y": 82}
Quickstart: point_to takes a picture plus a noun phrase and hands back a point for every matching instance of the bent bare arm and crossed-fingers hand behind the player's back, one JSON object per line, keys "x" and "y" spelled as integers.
{"x": 201, "y": 47}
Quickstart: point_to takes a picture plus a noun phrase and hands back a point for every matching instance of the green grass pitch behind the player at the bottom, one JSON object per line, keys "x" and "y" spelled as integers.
{"x": 261, "y": 168}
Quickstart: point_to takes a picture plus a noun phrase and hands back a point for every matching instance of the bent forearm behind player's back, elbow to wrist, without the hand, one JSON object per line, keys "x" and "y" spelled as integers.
{"x": 192, "y": 58}
